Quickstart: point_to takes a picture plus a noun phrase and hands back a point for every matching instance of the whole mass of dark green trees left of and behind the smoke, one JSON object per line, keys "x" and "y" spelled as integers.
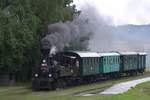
{"x": 22, "y": 25}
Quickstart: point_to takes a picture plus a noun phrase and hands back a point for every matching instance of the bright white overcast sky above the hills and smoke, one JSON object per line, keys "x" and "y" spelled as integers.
{"x": 121, "y": 11}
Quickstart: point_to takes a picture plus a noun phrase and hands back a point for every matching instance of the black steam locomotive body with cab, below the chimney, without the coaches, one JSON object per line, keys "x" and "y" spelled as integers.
{"x": 55, "y": 71}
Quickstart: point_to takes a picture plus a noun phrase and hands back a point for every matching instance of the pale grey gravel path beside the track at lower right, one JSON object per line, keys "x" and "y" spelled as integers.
{"x": 124, "y": 86}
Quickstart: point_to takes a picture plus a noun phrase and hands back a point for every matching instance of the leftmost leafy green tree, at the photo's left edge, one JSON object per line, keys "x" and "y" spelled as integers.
{"x": 18, "y": 36}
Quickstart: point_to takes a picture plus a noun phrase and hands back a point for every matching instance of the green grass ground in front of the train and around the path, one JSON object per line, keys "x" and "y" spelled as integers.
{"x": 24, "y": 92}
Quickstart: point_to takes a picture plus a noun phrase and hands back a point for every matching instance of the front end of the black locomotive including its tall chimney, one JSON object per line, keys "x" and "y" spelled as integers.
{"x": 43, "y": 75}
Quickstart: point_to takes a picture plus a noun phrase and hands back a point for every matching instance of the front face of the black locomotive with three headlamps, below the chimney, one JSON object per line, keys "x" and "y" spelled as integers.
{"x": 43, "y": 77}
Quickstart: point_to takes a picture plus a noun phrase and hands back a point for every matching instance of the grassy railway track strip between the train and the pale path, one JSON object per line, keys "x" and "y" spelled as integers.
{"x": 99, "y": 86}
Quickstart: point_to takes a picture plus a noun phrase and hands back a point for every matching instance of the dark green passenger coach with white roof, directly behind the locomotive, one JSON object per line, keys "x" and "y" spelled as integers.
{"x": 89, "y": 63}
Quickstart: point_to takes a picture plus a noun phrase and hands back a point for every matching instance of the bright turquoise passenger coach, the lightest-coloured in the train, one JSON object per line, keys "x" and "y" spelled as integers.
{"x": 109, "y": 62}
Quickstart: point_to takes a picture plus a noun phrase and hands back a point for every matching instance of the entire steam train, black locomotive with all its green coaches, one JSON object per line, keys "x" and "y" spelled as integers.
{"x": 77, "y": 67}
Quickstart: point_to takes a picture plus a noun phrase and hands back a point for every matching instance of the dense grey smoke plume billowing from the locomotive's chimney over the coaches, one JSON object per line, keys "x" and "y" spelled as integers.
{"x": 74, "y": 35}
